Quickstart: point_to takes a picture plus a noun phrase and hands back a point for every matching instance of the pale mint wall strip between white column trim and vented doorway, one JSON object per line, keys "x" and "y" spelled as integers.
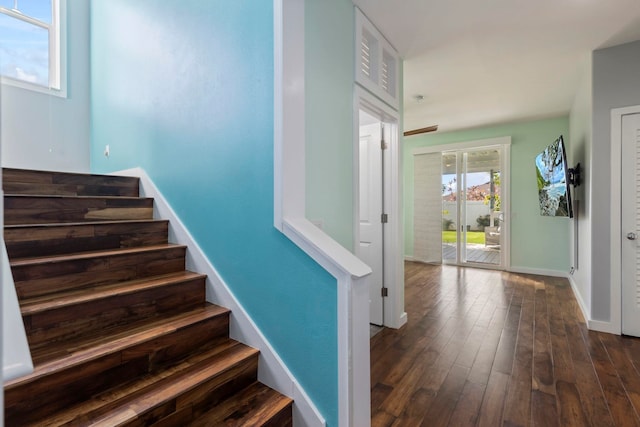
{"x": 329, "y": 59}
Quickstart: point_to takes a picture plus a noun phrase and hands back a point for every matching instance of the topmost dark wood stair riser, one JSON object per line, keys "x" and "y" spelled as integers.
{"x": 17, "y": 181}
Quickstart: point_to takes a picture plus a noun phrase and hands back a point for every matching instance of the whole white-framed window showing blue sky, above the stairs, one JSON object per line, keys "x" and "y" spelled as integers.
{"x": 30, "y": 44}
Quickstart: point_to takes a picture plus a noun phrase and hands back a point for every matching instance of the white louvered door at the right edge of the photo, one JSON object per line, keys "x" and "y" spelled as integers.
{"x": 631, "y": 225}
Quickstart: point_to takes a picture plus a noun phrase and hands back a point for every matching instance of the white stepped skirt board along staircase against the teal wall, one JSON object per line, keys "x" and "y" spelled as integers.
{"x": 271, "y": 370}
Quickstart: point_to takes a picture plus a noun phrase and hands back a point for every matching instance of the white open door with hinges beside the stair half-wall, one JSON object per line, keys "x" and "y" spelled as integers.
{"x": 371, "y": 244}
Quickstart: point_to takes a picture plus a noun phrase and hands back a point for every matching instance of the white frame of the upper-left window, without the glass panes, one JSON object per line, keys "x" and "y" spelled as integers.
{"x": 57, "y": 50}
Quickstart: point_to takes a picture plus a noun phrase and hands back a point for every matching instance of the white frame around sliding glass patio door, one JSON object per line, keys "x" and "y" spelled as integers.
{"x": 504, "y": 144}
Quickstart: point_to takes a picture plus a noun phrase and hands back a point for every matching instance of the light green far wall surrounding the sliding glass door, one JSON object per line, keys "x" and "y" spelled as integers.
{"x": 536, "y": 242}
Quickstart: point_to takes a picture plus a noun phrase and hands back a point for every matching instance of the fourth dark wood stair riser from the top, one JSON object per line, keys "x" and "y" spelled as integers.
{"x": 42, "y": 279}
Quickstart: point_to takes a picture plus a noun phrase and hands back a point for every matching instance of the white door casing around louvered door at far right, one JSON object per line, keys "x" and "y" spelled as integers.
{"x": 615, "y": 262}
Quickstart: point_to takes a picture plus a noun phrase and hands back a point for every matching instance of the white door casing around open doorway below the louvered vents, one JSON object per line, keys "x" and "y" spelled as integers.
{"x": 394, "y": 315}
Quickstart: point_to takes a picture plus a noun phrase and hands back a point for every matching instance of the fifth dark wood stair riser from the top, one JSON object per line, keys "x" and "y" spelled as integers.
{"x": 95, "y": 316}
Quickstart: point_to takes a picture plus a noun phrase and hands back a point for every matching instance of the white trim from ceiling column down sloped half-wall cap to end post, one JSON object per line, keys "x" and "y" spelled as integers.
{"x": 289, "y": 217}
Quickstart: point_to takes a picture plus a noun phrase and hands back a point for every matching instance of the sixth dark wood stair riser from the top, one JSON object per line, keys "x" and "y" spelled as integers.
{"x": 32, "y": 401}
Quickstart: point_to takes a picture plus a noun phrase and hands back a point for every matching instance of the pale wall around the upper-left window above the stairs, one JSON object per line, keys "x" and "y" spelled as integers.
{"x": 42, "y": 131}
